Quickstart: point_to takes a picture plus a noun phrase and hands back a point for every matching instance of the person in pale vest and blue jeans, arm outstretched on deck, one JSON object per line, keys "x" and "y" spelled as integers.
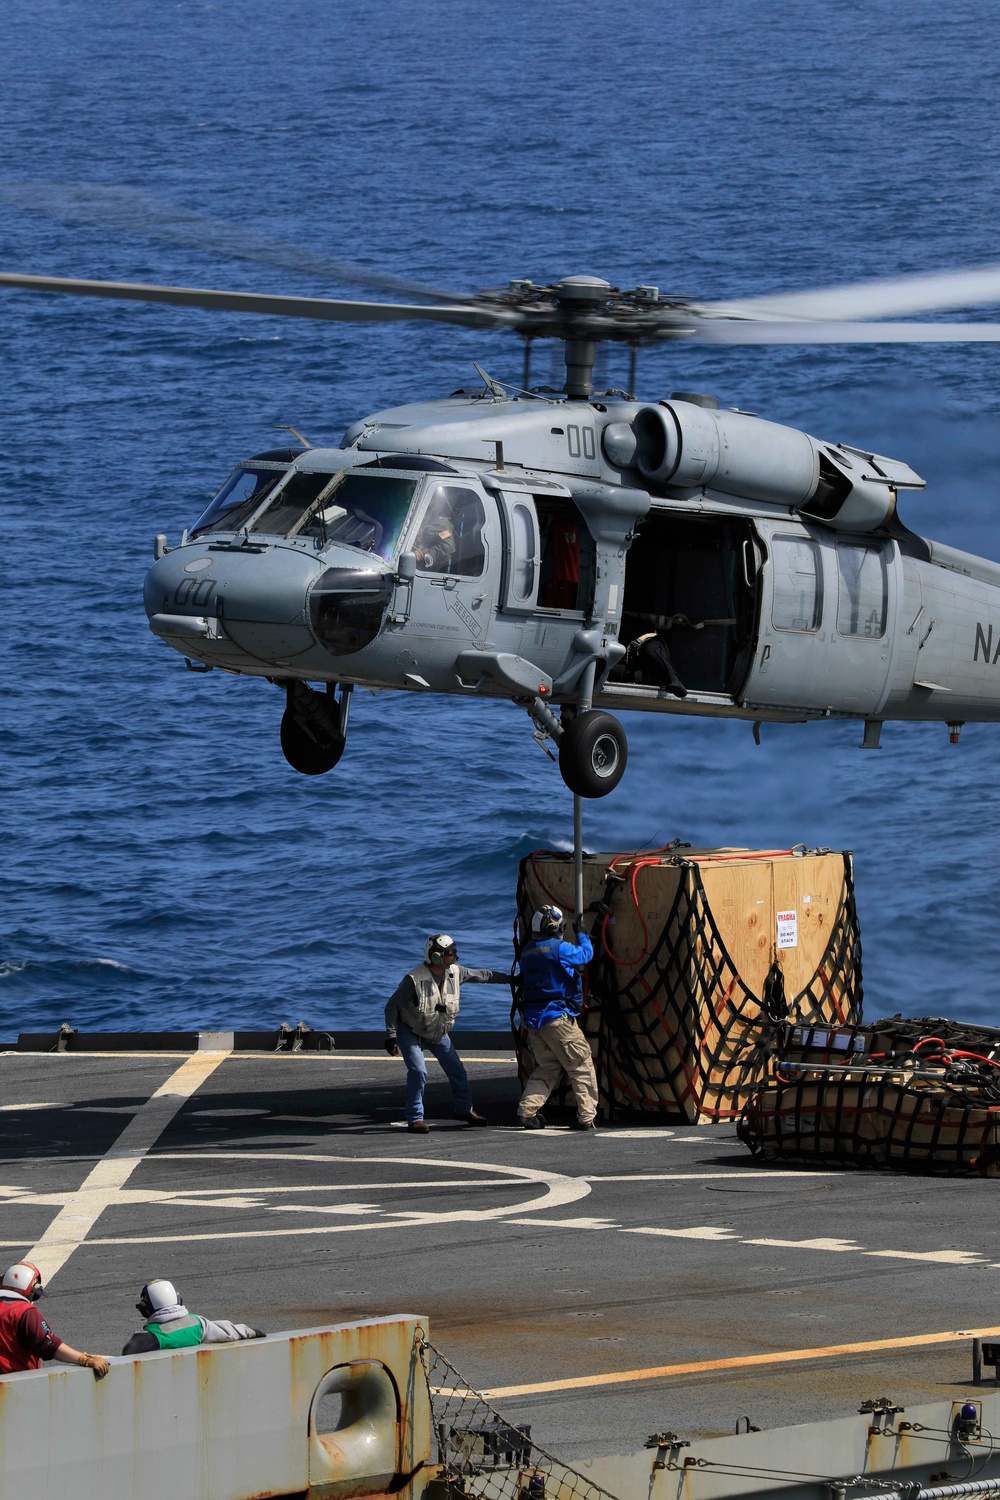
{"x": 421, "y": 1013}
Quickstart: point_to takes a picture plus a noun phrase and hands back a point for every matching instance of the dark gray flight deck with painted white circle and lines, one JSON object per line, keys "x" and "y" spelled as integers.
{"x": 284, "y": 1192}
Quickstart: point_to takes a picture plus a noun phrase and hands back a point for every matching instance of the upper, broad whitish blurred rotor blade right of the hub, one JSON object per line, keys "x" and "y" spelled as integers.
{"x": 882, "y": 299}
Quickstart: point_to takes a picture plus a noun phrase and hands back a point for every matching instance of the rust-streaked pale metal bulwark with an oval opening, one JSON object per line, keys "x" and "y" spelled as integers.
{"x": 227, "y": 1423}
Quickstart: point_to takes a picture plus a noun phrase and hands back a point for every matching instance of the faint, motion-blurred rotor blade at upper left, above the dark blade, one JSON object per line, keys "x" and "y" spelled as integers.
{"x": 128, "y": 211}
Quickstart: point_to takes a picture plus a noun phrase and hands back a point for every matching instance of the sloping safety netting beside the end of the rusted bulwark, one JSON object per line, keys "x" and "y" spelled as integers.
{"x": 487, "y": 1457}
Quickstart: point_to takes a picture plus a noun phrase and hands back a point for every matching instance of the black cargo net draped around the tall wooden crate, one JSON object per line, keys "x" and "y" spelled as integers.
{"x": 678, "y": 1034}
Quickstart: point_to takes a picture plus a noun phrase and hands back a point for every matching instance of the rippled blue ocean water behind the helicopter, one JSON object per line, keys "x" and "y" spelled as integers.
{"x": 163, "y": 866}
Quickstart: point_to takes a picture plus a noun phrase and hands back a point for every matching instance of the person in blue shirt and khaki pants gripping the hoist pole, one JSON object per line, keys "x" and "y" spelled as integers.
{"x": 552, "y": 979}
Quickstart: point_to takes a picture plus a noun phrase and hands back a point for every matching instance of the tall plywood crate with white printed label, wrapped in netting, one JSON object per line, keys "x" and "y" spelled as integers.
{"x": 693, "y": 982}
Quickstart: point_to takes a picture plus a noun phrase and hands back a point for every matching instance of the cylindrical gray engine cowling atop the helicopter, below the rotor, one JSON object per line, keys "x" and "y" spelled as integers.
{"x": 686, "y": 446}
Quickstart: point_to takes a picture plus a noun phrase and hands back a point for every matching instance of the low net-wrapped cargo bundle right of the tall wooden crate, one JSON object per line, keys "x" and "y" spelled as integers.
{"x": 917, "y": 1096}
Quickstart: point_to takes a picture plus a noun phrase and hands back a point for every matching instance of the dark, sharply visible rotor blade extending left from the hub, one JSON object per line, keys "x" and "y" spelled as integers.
{"x": 326, "y": 308}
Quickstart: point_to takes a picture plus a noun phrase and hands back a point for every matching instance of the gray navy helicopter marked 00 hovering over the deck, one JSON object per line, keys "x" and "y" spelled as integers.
{"x": 582, "y": 554}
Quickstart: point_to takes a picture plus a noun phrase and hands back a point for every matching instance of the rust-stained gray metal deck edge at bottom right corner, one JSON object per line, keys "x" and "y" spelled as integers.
{"x": 852, "y": 1459}
